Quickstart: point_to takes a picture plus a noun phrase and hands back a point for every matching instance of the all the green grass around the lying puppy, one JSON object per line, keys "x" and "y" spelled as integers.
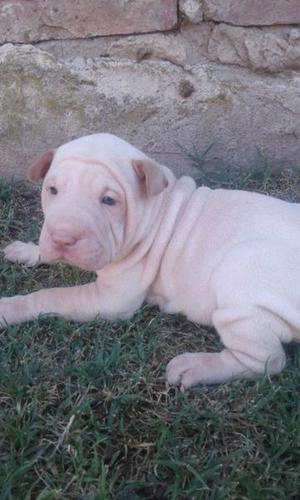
{"x": 84, "y": 409}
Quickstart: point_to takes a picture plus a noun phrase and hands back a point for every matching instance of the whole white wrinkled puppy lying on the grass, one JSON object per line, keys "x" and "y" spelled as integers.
{"x": 225, "y": 258}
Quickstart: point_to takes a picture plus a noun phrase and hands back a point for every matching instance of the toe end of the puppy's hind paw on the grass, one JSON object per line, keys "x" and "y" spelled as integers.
{"x": 185, "y": 370}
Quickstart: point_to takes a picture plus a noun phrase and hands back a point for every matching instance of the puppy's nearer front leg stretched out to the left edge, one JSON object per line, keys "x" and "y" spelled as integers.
{"x": 79, "y": 303}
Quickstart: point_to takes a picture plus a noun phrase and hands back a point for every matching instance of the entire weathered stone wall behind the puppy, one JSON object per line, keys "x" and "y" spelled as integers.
{"x": 163, "y": 74}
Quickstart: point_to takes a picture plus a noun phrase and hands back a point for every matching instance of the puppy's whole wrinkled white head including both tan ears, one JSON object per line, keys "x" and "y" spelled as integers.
{"x": 98, "y": 192}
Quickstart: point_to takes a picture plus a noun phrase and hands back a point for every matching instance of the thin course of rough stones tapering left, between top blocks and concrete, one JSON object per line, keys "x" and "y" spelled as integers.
{"x": 270, "y": 49}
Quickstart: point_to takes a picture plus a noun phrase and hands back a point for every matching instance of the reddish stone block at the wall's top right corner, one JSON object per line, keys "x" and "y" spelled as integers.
{"x": 252, "y": 12}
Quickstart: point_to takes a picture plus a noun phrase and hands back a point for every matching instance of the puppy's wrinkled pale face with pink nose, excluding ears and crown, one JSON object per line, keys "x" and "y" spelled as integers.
{"x": 78, "y": 229}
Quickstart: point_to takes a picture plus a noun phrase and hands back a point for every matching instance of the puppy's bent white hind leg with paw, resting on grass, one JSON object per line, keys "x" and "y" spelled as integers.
{"x": 252, "y": 348}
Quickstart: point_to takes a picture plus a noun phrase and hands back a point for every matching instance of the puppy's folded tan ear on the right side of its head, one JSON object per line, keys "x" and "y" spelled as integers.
{"x": 151, "y": 175}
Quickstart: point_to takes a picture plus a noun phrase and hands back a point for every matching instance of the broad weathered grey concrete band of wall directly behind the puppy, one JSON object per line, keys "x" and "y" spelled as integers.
{"x": 156, "y": 105}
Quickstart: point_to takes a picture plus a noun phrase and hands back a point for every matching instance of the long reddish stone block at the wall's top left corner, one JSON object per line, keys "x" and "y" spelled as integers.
{"x": 34, "y": 20}
